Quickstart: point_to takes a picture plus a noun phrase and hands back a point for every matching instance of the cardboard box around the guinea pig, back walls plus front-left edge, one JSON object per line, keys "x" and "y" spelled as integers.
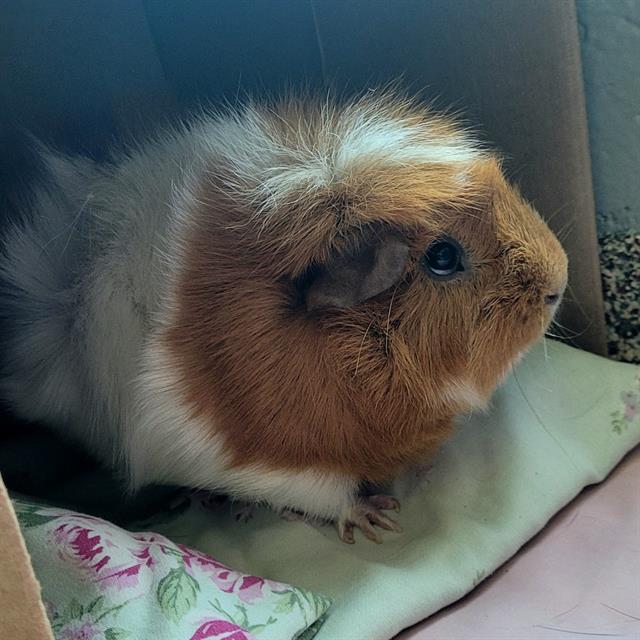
{"x": 79, "y": 72}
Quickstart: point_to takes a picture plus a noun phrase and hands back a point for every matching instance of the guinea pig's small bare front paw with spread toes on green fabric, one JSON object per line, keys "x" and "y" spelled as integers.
{"x": 364, "y": 514}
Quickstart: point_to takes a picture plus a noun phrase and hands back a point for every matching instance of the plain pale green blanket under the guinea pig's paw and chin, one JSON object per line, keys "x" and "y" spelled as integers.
{"x": 562, "y": 422}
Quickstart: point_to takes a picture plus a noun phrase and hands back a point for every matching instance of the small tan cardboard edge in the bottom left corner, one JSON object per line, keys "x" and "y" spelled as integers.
{"x": 22, "y": 615}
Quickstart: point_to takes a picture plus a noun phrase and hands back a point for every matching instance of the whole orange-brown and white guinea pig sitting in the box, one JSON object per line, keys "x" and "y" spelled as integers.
{"x": 283, "y": 302}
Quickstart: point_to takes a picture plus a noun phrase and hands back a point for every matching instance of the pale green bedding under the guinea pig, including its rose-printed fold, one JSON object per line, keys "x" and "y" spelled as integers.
{"x": 560, "y": 422}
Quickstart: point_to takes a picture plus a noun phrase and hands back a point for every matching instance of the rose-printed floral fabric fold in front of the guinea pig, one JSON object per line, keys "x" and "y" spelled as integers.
{"x": 101, "y": 582}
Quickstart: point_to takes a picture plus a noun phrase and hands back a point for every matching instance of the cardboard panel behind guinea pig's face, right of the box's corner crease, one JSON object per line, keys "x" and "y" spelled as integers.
{"x": 513, "y": 68}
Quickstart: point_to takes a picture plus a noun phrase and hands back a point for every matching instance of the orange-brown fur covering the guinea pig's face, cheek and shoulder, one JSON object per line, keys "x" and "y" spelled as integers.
{"x": 356, "y": 390}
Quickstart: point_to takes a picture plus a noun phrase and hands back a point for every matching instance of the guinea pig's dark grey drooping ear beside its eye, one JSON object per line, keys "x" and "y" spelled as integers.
{"x": 358, "y": 276}
